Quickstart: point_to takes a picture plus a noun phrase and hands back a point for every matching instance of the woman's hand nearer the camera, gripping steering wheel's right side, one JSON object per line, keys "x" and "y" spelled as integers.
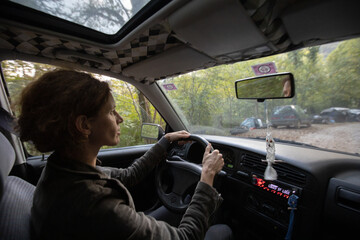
{"x": 212, "y": 164}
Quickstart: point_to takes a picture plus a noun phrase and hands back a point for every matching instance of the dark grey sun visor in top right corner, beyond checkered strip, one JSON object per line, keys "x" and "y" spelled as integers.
{"x": 327, "y": 20}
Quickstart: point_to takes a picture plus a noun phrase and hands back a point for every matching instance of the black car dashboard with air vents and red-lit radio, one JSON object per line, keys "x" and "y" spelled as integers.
{"x": 326, "y": 183}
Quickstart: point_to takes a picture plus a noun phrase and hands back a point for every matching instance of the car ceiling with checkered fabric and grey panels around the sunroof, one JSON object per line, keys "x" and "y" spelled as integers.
{"x": 181, "y": 36}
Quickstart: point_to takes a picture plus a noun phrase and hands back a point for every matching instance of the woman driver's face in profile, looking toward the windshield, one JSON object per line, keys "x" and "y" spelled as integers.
{"x": 105, "y": 129}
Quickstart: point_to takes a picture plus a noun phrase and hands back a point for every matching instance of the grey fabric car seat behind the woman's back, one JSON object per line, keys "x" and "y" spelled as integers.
{"x": 16, "y": 197}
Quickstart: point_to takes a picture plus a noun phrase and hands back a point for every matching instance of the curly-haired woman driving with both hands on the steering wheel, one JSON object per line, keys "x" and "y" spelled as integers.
{"x": 73, "y": 114}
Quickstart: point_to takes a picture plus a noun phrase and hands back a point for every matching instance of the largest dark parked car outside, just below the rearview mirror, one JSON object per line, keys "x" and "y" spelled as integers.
{"x": 290, "y": 116}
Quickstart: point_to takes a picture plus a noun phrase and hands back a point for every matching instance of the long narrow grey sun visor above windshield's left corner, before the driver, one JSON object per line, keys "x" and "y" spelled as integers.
{"x": 176, "y": 60}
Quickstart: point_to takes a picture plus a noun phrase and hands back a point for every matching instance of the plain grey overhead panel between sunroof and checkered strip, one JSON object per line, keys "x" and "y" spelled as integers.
{"x": 217, "y": 28}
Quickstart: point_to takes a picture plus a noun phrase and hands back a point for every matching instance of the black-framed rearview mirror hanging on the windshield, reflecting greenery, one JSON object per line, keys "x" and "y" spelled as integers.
{"x": 274, "y": 86}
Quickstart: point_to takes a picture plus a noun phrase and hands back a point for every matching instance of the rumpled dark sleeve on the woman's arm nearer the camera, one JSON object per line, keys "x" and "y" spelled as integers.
{"x": 122, "y": 221}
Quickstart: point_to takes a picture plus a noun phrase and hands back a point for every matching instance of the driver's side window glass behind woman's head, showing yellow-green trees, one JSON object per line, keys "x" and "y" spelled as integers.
{"x": 131, "y": 104}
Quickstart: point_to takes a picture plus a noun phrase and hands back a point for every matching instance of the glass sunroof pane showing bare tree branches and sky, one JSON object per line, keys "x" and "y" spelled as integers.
{"x": 106, "y": 16}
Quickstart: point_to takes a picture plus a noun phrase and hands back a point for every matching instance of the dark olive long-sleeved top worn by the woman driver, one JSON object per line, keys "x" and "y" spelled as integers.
{"x": 77, "y": 201}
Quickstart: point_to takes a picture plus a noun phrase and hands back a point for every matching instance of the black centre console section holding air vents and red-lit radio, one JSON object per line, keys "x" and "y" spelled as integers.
{"x": 265, "y": 206}
